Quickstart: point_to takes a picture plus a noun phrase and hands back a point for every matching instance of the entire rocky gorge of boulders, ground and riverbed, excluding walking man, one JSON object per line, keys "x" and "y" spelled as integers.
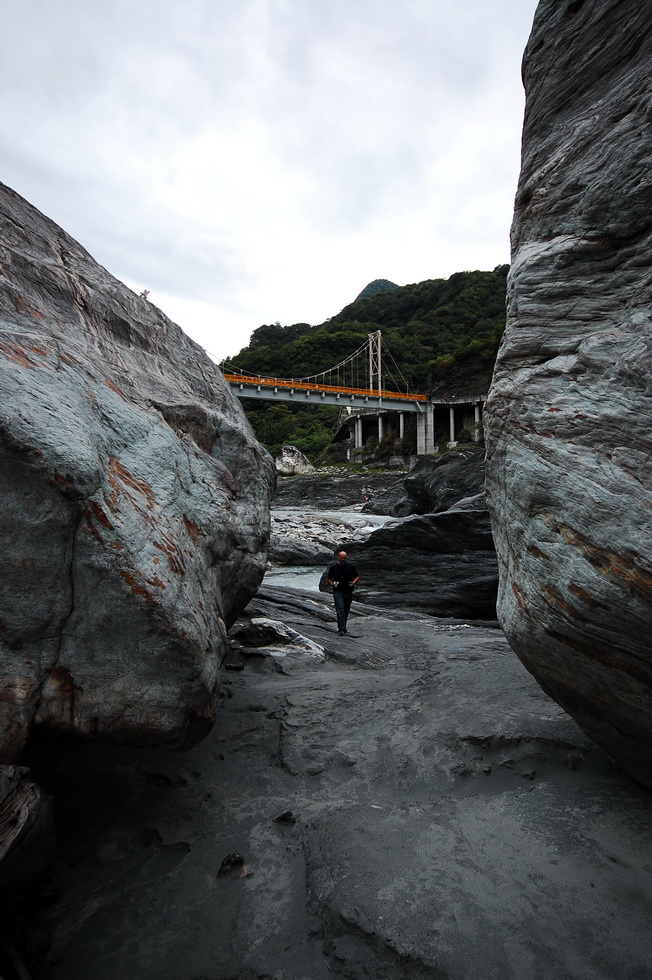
{"x": 408, "y": 801}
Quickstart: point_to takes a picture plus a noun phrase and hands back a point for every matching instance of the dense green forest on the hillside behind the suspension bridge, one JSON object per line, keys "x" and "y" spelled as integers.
{"x": 434, "y": 333}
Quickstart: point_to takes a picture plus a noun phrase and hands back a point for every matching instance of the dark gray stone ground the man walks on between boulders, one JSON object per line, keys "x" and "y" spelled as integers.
{"x": 447, "y": 820}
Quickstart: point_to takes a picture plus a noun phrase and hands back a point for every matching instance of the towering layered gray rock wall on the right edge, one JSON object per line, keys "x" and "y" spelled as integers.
{"x": 568, "y": 419}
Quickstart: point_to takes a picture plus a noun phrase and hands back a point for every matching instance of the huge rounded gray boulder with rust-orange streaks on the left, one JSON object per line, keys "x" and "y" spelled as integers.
{"x": 134, "y": 501}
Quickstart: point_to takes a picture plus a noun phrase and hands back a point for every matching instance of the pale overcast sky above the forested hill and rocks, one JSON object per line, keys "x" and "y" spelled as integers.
{"x": 249, "y": 161}
